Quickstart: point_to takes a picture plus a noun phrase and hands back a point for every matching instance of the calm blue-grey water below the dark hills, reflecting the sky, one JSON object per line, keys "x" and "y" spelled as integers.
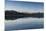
{"x": 24, "y": 23}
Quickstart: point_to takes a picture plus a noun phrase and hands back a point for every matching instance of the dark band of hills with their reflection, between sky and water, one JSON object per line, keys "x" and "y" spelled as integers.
{"x": 11, "y": 15}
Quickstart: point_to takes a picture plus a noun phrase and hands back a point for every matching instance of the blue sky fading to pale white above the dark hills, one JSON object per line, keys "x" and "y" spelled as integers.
{"x": 21, "y": 6}
